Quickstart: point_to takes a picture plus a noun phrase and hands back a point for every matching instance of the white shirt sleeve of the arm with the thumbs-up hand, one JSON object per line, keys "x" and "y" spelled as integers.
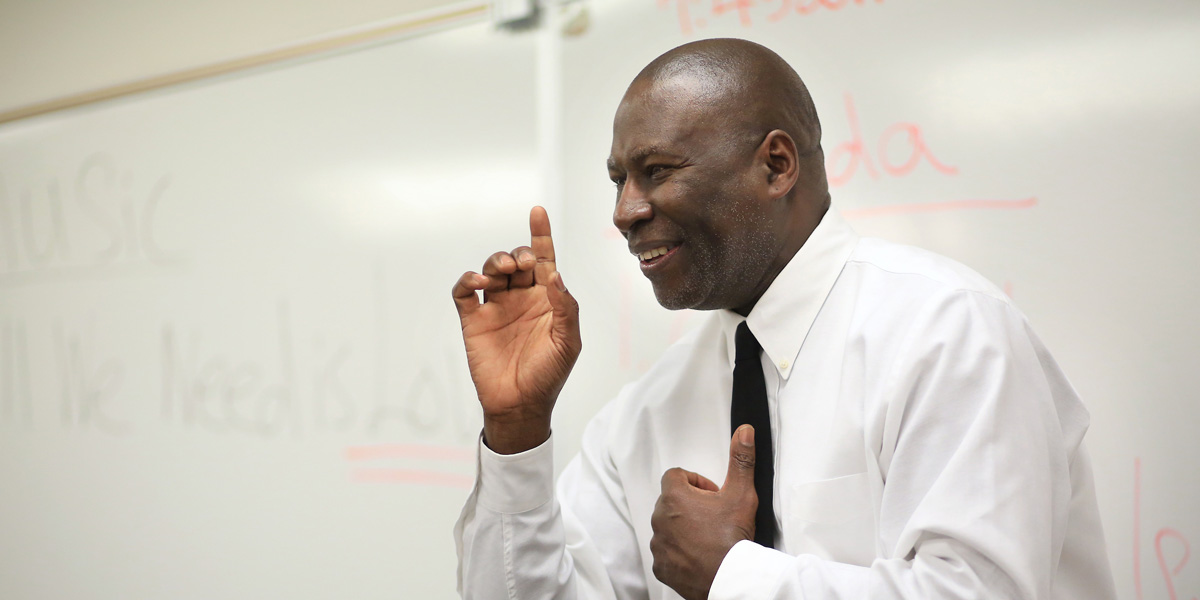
{"x": 977, "y": 467}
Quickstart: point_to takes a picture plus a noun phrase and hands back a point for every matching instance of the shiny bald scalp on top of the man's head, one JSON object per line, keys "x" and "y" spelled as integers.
{"x": 747, "y": 86}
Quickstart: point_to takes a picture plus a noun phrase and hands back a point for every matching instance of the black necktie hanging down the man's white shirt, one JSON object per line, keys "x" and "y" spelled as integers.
{"x": 749, "y": 406}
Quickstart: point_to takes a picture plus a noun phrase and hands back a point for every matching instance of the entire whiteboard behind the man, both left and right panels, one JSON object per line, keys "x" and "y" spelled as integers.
{"x": 230, "y": 365}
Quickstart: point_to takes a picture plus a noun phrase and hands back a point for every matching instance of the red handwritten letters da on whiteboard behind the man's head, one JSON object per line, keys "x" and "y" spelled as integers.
{"x": 845, "y": 159}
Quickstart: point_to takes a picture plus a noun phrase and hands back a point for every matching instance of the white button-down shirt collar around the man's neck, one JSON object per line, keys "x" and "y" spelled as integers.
{"x": 782, "y": 319}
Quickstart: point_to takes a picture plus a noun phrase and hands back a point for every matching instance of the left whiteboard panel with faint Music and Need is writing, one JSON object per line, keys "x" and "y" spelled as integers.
{"x": 229, "y": 357}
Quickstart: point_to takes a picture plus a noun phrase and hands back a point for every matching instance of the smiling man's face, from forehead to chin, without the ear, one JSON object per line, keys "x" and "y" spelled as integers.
{"x": 687, "y": 184}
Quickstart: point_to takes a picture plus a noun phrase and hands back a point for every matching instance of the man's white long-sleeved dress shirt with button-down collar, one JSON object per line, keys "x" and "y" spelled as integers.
{"x": 927, "y": 447}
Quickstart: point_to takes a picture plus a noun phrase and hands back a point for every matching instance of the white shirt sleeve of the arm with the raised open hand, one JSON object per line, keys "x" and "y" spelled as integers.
{"x": 519, "y": 537}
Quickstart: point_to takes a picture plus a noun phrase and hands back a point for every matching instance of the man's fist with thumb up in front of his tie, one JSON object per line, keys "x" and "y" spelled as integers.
{"x": 697, "y": 524}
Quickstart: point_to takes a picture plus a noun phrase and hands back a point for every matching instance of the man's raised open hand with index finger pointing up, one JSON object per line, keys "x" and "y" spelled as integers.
{"x": 521, "y": 341}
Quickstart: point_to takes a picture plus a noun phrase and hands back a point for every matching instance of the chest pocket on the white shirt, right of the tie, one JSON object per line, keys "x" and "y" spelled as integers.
{"x": 833, "y": 519}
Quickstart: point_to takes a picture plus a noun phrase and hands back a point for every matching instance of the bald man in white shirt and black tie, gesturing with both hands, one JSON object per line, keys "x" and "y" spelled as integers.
{"x": 915, "y": 441}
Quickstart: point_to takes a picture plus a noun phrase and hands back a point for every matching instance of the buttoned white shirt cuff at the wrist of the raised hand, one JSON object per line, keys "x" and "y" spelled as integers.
{"x": 517, "y": 483}
